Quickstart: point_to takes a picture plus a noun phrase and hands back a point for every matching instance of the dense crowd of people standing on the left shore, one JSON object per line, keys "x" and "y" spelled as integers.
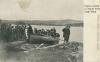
{"x": 10, "y": 32}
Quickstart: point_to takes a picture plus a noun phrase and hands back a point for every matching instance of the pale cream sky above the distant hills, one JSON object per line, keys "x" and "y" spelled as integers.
{"x": 42, "y": 9}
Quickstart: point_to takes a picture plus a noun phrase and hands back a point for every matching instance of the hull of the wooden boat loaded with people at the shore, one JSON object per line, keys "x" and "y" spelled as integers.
{"x": 37, "y": 39}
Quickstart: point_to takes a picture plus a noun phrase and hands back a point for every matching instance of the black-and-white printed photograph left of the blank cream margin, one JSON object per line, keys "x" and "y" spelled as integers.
{"x": 41, "y": 31}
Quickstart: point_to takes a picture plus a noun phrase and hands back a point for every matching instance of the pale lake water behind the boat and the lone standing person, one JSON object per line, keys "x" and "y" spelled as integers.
{"x": 76, "y": 32}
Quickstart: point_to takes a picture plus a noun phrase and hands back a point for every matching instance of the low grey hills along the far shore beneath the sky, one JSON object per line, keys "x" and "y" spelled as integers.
{"x": 46, "y": 22}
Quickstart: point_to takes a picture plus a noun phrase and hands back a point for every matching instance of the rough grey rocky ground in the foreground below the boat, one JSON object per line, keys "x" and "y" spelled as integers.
{"x": 71, "y": 52}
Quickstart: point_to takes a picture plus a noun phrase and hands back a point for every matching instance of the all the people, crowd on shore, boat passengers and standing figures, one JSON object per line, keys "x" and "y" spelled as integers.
{"x": 18, "y": 32}
